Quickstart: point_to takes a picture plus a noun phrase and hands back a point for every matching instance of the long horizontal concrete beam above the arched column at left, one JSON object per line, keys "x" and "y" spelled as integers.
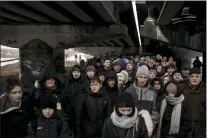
{"x": 66, "y": 36}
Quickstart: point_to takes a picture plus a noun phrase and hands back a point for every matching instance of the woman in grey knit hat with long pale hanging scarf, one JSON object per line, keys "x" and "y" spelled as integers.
{"x": 175, "y": 116}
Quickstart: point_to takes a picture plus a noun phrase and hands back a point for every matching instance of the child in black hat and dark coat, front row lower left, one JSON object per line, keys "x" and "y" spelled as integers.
{"x": 48, "y": 124}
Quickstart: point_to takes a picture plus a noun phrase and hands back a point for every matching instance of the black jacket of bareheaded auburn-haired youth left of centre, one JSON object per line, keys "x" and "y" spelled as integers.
{"x": 96, "y": 108}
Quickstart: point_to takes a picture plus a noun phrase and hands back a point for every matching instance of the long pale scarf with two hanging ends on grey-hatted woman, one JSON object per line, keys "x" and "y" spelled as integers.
{"x": 176, "y": 114}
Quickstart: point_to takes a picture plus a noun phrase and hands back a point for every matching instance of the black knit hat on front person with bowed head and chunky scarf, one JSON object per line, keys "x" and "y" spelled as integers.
{"x": 125, "y": 100}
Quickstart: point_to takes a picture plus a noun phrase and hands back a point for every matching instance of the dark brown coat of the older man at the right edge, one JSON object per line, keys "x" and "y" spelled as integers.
{"x": 197, "y": 96}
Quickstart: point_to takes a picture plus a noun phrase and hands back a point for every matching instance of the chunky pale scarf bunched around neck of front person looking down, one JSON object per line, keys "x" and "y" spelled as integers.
{"x": 126, "y": 122}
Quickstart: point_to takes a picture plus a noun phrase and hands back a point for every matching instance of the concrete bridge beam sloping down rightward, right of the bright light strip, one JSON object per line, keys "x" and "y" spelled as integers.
{"x": 178, "y": 38}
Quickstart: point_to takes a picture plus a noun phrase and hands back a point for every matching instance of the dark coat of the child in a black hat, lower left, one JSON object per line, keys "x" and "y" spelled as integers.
{"x": 48, "y": 128}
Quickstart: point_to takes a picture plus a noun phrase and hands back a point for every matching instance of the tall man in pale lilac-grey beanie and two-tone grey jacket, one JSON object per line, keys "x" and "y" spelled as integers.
{"x": 143, "y": 94}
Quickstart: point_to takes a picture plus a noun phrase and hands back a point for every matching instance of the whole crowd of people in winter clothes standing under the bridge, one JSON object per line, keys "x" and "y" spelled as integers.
{"x": 109, "y": 97}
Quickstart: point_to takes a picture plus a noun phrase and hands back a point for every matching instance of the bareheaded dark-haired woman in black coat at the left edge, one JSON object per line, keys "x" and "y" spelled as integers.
{"x": 15, "y": 110}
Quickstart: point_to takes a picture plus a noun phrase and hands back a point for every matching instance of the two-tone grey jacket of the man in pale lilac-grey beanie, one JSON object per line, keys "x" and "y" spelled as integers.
{"x": 145, "y": 98}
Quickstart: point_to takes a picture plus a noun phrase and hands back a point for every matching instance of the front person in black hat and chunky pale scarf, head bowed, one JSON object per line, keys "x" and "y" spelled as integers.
{"x": 125, "y": 121}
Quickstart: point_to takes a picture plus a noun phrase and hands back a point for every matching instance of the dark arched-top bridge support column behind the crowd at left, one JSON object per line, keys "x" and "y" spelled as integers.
{"x": 37, "y": 59}
